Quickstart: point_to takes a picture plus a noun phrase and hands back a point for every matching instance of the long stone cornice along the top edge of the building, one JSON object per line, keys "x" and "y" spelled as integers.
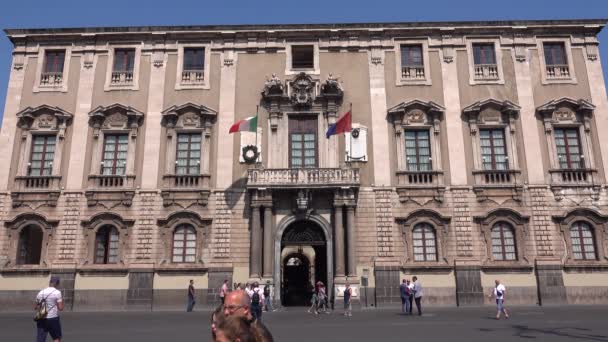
{"x": 339, "y": 31}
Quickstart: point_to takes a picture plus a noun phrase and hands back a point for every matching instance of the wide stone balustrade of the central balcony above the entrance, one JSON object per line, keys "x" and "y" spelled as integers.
{"x": 317, "y": 177}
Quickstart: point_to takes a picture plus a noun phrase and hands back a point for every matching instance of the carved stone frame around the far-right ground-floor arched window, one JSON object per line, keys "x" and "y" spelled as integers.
{"x": 599, "y": 226}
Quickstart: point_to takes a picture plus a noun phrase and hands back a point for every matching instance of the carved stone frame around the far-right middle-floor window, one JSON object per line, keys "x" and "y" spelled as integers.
{"x": 566, "y": 112}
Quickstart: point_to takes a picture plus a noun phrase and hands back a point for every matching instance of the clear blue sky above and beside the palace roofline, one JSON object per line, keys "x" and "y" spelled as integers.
{"x": 73, "y": 13}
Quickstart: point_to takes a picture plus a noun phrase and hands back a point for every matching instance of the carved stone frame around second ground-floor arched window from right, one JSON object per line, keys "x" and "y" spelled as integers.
{"x": 519, "y": 224}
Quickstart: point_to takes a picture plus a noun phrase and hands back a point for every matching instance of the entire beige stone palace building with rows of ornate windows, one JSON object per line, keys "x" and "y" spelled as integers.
{"x": 475, "y": 154}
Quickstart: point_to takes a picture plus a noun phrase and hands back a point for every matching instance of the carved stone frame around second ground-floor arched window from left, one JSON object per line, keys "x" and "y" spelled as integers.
{"x": 92, "y": 225}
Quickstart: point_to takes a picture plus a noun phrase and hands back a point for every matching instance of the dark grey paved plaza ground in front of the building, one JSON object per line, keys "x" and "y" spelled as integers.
{"x": 571, "y": 323}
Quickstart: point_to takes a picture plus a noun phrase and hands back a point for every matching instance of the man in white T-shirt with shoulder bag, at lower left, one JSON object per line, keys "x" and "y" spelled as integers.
{"x": 48, "y": 304}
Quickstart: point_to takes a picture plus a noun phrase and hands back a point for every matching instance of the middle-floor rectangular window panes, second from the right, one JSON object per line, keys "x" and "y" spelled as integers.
{"x": 493, "y": 151}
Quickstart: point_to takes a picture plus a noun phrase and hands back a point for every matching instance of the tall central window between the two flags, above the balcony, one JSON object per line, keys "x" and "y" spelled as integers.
{"x": 302, "y": 143}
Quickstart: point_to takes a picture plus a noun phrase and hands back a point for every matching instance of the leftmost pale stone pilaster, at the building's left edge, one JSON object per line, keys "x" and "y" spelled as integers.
{"x": 11, "y": 107}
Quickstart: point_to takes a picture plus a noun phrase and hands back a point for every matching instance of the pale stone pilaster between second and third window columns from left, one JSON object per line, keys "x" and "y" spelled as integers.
{"x": 153, "y": 119}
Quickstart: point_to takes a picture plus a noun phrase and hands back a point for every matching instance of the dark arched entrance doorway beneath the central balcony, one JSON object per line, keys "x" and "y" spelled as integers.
{"x": 303, "y": 261}
